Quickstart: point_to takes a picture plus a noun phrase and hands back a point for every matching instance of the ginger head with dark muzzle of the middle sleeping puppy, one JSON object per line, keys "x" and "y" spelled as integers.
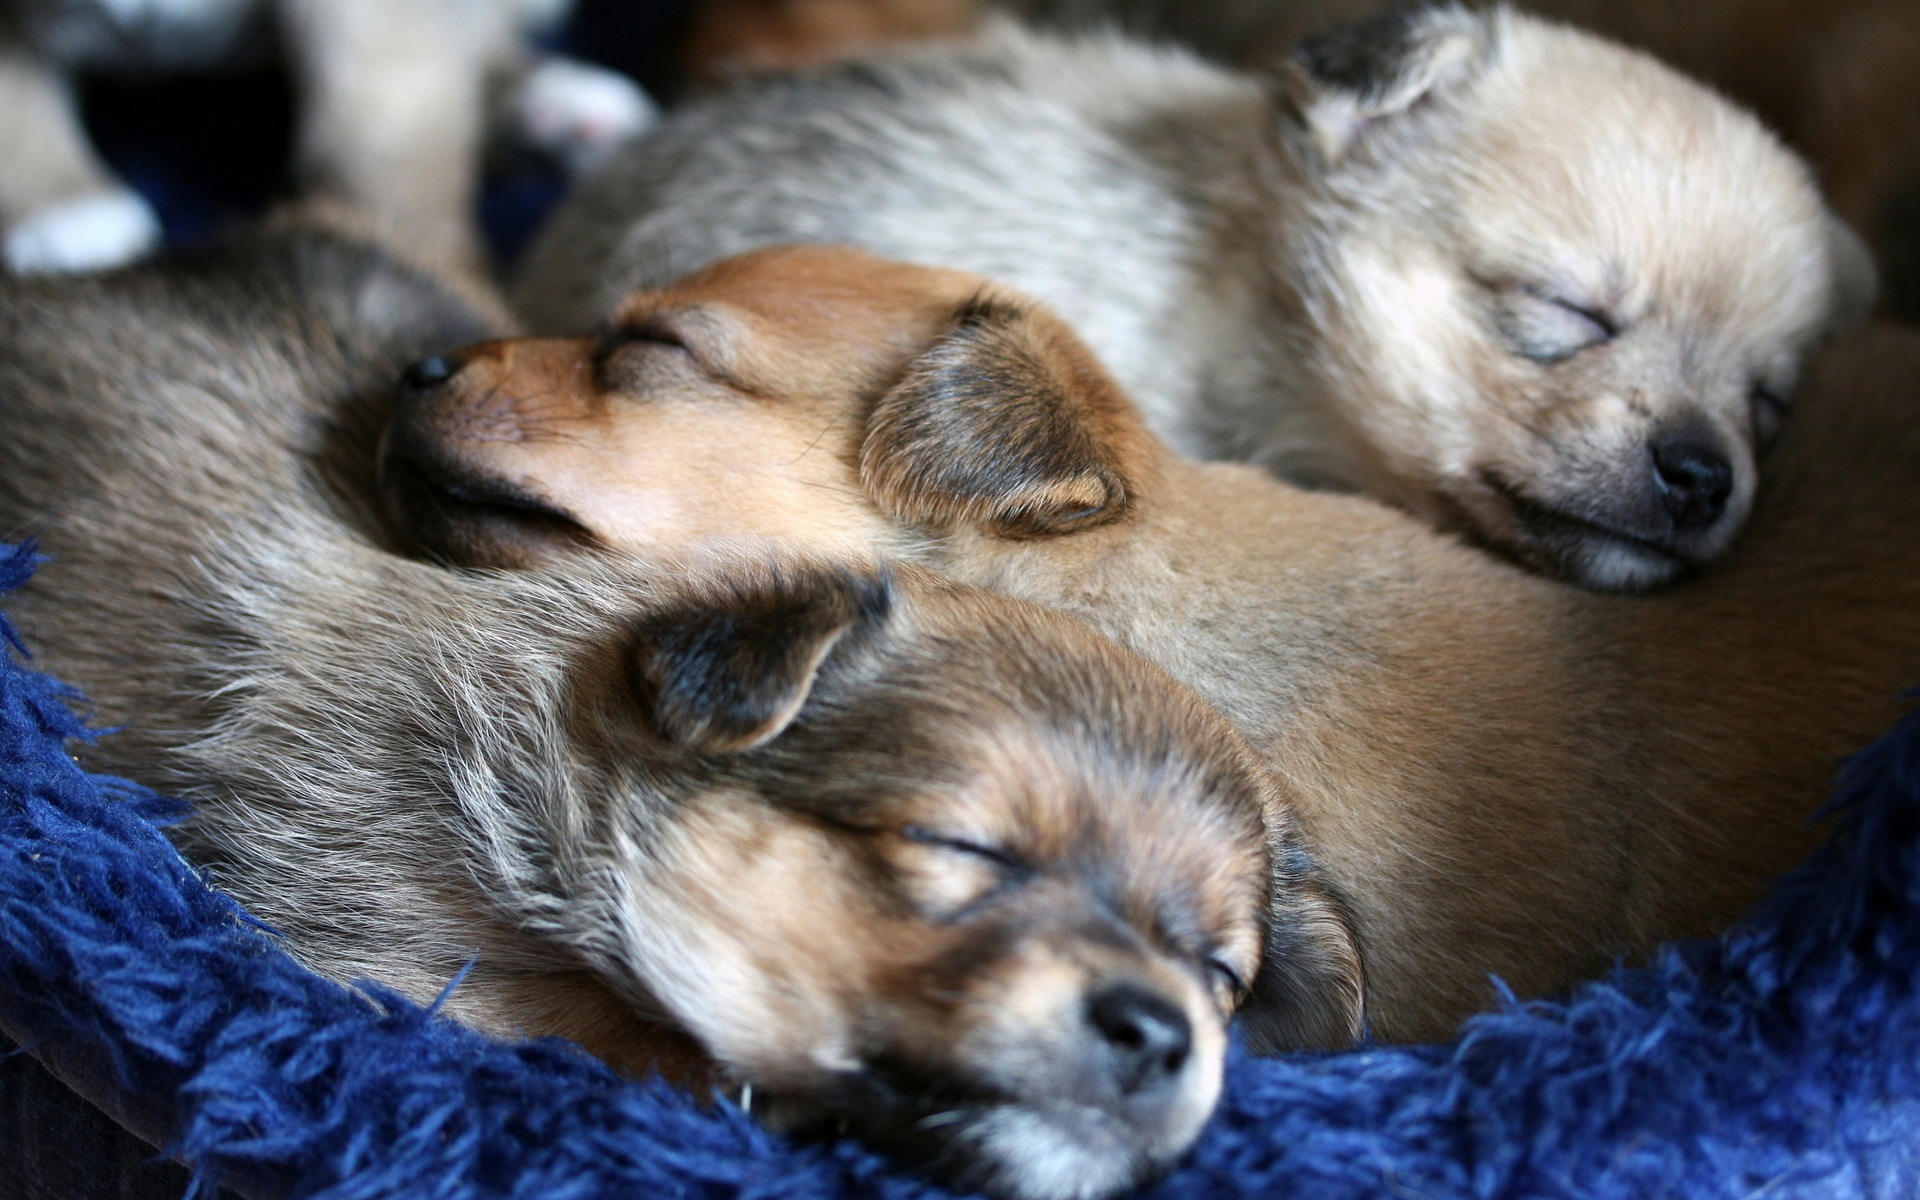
{"x": 811, "y": 395}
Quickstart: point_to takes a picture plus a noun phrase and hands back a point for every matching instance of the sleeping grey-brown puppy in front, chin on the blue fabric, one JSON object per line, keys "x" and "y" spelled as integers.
{"x": 894, "y": 852}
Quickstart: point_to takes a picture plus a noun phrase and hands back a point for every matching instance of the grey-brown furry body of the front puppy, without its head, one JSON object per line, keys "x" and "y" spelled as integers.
{"x": 231, "y": 610}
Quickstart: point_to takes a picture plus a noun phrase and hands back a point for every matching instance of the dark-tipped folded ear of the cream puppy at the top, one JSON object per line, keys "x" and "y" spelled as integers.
{"x": 1353, "y": 78}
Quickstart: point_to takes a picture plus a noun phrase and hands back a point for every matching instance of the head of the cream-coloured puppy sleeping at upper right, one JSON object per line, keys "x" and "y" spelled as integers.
{"x": 1564, "y": 291}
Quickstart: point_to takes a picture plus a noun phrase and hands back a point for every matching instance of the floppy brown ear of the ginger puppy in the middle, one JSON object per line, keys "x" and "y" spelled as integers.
{"x": 1007, "y": 423}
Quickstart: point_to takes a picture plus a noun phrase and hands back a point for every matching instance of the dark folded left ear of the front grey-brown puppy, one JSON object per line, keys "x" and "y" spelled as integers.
{"x": 731, "y": 671}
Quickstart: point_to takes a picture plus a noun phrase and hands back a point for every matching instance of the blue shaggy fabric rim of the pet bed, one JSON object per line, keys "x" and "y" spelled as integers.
{"x": 1781, "y": 1061}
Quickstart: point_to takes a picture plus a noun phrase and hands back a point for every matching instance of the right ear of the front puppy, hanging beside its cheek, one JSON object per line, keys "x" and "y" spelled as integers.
{"x": 1310, "y": 994}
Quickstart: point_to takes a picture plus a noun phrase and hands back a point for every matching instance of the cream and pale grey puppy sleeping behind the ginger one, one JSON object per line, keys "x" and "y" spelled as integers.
{"x": 1520, "y": 281}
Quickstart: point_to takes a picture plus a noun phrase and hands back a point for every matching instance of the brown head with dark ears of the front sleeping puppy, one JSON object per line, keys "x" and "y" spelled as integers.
{"x": 957, "y": 873}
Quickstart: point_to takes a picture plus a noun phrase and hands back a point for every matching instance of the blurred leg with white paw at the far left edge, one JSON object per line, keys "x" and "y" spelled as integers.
{"x": 60, "y": 208}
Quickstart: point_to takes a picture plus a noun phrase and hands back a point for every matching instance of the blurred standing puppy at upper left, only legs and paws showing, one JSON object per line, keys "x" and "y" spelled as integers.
{"x": 391, "y": 116}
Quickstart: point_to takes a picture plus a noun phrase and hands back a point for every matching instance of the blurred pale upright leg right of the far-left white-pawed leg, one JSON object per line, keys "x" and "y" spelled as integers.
{"x": 391, "y": 114}
